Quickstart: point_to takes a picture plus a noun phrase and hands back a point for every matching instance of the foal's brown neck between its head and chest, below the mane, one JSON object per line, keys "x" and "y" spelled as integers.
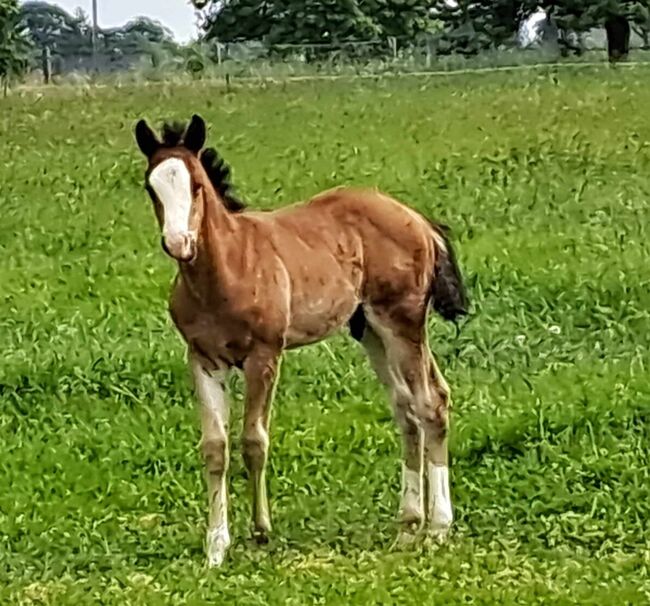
{"x": 217, "y": 234}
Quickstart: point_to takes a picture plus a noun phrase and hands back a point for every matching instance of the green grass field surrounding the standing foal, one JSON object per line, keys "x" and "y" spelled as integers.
{"x": 545, "y": 180}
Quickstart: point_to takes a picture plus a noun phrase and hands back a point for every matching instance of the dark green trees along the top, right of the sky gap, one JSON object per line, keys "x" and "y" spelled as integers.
{"x": 465, "y": 26}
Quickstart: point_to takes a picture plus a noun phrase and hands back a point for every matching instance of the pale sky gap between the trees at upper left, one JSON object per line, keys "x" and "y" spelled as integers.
{"x": 177, "y": 15}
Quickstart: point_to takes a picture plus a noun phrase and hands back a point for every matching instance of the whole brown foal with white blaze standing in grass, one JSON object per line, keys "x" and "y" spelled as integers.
{"x": 253, "y": 284}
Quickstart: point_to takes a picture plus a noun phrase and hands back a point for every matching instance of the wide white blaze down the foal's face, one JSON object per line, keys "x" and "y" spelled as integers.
{"x": 173, "y": 186}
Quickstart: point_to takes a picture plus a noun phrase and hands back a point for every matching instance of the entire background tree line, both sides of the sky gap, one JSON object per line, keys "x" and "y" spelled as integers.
{"x": 33, "y": 29}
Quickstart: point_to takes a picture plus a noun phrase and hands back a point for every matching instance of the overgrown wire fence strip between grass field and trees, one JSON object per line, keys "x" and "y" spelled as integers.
{"x": 245, "y": 61}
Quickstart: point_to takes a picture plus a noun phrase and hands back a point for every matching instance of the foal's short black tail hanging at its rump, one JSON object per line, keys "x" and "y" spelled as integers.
{"x": 448, "y": 295}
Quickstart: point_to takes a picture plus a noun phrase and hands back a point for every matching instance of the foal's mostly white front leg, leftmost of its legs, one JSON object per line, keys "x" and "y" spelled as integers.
{"x": 214, "y": 411}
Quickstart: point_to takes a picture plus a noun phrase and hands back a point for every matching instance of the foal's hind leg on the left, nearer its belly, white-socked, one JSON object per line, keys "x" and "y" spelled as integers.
{"x": 411, "y": 505}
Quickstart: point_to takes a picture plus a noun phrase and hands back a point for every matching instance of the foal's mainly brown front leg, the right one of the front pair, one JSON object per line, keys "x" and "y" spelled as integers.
{"x": 260, "y": 372}
